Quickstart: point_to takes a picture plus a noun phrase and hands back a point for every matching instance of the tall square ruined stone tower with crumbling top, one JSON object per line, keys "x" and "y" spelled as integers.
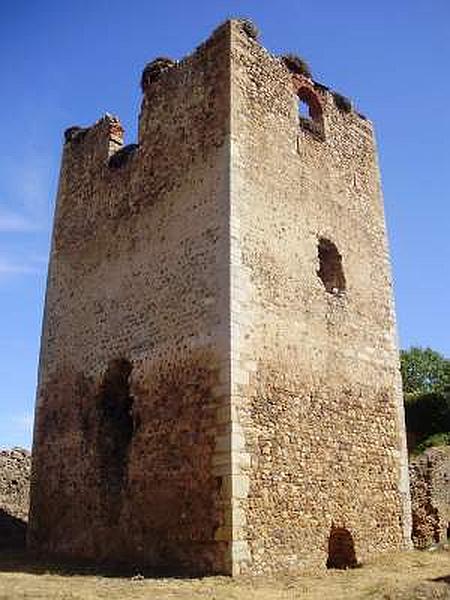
{"x": 219, "y": 389}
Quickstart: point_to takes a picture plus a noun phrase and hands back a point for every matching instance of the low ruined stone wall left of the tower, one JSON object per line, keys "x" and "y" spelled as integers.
{"x": 15, "y": 466}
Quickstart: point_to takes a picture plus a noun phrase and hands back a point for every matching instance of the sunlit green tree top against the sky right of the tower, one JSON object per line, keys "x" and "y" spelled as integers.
{"x": 424, "y": 371}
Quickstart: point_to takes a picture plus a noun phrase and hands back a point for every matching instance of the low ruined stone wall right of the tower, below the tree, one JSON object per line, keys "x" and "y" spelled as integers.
{"x": 429, "y": 476}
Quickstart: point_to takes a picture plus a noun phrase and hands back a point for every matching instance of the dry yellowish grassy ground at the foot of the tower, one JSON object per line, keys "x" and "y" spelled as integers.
{"x": 407, "y": 576}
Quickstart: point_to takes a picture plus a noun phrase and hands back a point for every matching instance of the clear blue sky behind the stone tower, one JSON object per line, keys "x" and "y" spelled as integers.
{"x": 66, "y": 63}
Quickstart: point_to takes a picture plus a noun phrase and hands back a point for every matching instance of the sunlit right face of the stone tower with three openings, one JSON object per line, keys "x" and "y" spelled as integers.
{"x": 318, "y": 431}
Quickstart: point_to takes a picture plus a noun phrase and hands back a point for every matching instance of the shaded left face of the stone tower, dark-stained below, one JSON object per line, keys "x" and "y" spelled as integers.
{"x": 133, "y": 386}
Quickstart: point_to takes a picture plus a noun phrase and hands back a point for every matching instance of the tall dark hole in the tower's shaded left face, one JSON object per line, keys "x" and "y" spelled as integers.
{"x": 115, "y": 424}
